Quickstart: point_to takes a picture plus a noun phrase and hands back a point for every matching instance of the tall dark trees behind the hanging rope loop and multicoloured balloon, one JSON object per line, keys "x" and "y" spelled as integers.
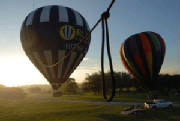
{"x": 124, "y": 80}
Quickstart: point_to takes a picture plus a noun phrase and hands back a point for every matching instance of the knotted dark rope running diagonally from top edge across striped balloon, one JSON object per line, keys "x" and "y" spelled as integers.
{"x": 104, "y": 16}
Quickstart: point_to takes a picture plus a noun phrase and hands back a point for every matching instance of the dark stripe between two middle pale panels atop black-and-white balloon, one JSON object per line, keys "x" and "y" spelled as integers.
{"x": 54, "y": 17}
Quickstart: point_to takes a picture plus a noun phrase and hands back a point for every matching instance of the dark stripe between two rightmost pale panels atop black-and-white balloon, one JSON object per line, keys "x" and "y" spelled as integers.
{"x": 71, "y": 16}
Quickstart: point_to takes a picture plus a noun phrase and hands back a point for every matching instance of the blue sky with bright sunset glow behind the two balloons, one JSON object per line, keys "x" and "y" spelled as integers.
{"x": 127, "y": 17}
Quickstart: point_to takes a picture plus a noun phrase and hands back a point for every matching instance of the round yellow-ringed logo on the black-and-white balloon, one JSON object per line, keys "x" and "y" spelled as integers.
{"x": 67, "y": 32}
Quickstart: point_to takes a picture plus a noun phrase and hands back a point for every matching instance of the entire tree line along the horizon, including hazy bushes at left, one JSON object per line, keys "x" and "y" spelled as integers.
{"x": 93, "y": 83}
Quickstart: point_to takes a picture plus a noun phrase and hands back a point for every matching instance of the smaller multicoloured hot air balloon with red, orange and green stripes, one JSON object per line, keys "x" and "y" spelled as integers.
{"x": 142, "y": 55}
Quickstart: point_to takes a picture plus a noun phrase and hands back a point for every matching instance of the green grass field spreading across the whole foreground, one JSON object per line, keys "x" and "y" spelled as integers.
{"x": 35, "y": 109}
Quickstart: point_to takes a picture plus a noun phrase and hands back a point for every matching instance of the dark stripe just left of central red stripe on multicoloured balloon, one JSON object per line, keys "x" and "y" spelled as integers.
{"x": 145, "y": 64}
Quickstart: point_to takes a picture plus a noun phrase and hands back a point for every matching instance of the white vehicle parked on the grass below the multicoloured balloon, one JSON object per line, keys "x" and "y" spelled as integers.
{"x": 158, "y": 103}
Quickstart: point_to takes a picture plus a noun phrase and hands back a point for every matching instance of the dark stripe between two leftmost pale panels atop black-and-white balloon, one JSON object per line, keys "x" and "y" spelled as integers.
{"x": 36, "y": 18}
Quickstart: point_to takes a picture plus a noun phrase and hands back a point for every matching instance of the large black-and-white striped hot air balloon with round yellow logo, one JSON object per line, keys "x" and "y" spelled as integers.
{"x": 48, "y": 34}
